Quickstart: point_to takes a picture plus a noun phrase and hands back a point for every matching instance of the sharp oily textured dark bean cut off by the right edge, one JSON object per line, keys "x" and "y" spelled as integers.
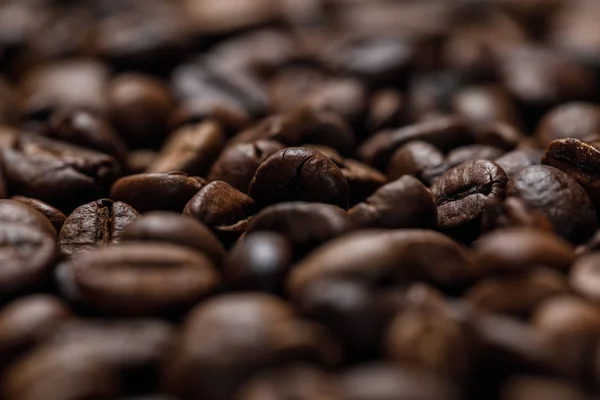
{"x": 581, "y": 161}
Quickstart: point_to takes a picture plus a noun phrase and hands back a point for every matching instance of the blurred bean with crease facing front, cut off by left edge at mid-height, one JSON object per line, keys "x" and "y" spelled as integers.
{"x": 28, "y": 255}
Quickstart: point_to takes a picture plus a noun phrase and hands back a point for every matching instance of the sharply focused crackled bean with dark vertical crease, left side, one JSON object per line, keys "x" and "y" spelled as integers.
{"x": 98, "y": 223}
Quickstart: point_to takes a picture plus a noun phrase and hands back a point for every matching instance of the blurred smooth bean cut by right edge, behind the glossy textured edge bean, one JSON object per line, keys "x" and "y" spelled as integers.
{"x": 576, "y": 120}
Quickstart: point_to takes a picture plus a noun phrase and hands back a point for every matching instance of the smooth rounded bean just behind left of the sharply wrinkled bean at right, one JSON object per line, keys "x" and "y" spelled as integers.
{"x": 419, "y": 159}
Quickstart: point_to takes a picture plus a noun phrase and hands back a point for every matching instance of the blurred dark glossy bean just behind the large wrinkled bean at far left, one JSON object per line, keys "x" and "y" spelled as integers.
{"x": 86, "y": 129}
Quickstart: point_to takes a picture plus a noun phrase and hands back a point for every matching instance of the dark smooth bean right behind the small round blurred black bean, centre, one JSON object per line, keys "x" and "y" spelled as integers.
{"x": 305, "y": 225}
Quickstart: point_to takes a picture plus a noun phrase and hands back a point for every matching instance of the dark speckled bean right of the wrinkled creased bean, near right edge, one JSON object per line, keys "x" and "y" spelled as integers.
{"x": 559, "y": 198}
